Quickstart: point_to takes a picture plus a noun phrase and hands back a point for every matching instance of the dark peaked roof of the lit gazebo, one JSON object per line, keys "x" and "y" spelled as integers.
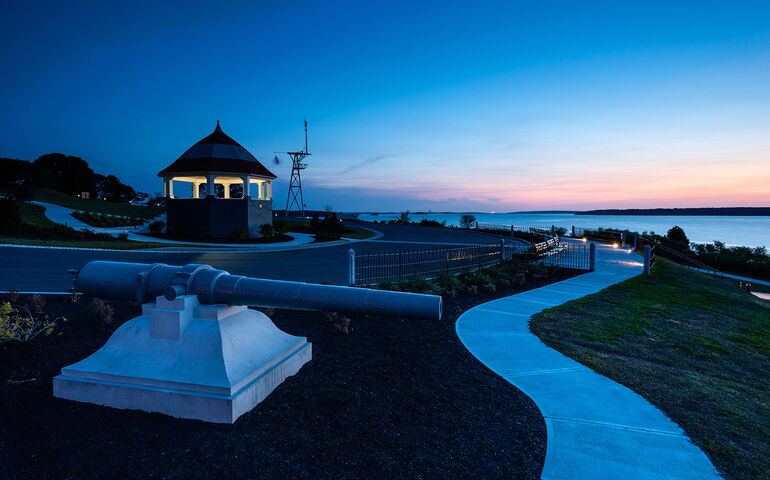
{"x": 217, "y": 153}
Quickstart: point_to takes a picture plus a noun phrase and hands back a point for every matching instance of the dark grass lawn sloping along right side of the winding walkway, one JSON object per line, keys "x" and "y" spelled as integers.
{"x": 696, "y": 347}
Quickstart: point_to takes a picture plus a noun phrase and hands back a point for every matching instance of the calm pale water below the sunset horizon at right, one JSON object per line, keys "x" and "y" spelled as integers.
{"x": 747, "y": 231}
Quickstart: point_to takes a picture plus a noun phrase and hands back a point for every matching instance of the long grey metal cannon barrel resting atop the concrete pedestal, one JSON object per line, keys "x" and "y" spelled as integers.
{"x": 143, "y": 282}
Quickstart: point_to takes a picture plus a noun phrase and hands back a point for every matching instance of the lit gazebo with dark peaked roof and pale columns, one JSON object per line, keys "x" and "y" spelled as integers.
{"x": 231, "y": 191}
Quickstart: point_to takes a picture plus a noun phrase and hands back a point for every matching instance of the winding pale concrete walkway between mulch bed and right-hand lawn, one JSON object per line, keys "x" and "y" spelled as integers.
{"x": 597, "y": 429}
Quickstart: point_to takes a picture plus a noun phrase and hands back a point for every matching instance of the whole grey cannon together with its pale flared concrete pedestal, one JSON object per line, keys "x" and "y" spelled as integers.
{"x": 197, "y": 351}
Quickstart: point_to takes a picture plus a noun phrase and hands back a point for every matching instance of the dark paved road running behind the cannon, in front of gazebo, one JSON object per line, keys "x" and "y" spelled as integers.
{"x": 38, "y": 269}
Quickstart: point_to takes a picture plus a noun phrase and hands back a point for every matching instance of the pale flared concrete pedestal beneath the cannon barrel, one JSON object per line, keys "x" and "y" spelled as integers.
{"x": 207, "y": 362}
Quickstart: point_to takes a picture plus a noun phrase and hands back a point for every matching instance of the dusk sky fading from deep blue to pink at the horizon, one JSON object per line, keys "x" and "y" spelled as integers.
{"x": 447, "y": 106}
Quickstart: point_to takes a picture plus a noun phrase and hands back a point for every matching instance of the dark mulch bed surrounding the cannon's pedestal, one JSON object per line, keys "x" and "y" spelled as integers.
{"x": 394, "y": 398}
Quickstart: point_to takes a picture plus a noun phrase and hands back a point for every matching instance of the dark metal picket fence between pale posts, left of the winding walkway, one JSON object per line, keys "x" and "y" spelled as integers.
{"x": 373, "y": 268}
